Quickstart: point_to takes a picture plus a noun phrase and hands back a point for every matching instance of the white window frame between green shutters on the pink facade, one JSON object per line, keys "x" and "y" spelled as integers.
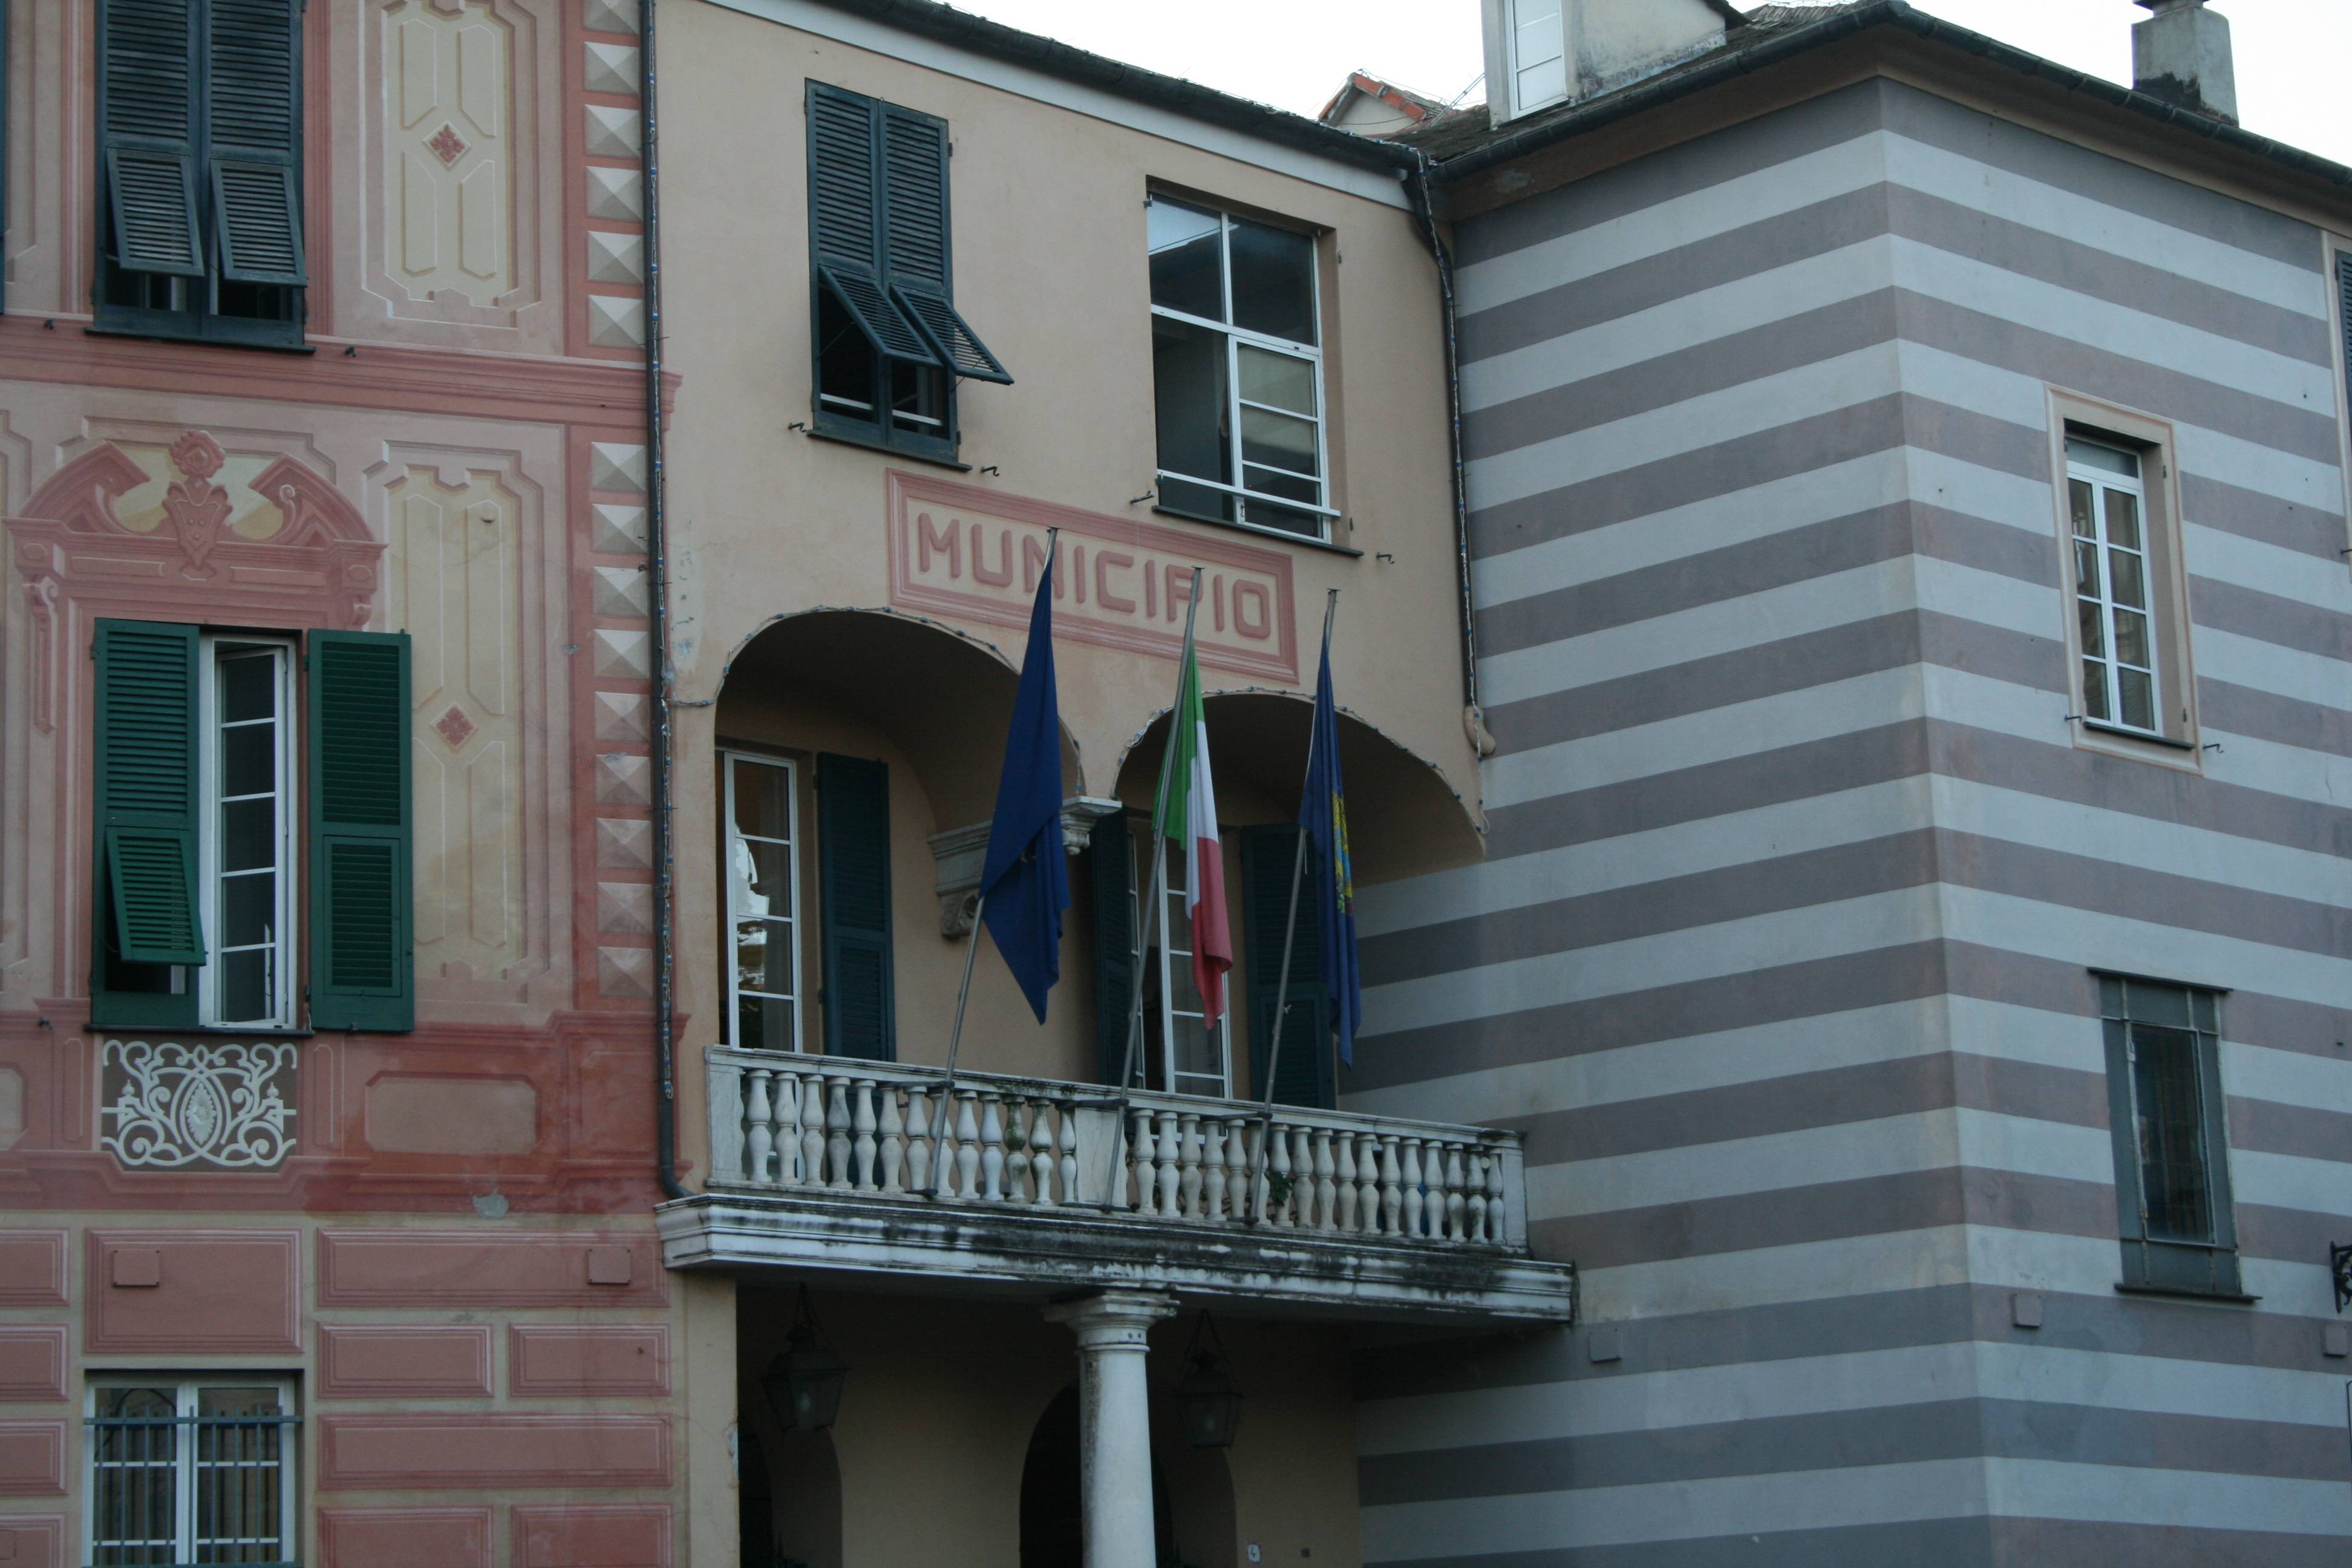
{"x": 213, "y": 650}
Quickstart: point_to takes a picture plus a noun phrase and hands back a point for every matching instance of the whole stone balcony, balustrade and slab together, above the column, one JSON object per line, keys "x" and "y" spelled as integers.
{"x": 874, "y": 1172}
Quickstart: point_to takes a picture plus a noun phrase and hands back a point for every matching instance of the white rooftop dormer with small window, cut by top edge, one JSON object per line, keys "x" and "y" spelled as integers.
{"x": 1544, "y": 53}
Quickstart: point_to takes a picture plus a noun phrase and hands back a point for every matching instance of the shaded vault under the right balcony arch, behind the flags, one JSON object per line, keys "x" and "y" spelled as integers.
{"x": 1403, "y": 815}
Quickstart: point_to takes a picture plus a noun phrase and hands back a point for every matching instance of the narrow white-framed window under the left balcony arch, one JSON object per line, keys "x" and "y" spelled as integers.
{"x": 763, "y": 902}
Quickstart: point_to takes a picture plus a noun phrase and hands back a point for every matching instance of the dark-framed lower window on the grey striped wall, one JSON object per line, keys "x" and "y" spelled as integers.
{"x": 2172, "y": 1158}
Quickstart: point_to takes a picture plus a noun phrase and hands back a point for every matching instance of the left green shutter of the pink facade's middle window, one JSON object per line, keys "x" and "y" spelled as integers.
{"x": 147, "y": 793}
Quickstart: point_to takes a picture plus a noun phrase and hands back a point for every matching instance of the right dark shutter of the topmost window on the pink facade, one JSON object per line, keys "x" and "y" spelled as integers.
{"x": 253, "y": 123}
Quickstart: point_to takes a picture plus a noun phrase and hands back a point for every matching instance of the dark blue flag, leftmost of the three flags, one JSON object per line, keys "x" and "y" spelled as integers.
{"x": 1027, "y": 880}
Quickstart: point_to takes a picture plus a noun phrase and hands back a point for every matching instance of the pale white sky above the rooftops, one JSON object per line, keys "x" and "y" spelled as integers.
{"x": 2292, "y": 55}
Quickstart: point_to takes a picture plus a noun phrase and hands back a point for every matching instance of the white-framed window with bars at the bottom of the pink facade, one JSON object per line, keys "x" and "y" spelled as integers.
{"x": 192, "y": 1473}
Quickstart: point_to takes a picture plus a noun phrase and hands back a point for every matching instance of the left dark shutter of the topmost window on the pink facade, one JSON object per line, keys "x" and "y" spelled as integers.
{"x": 147, "y": 133}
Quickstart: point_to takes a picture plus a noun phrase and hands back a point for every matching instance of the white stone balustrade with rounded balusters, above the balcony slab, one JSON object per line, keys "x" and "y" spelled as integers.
{"x": 838, "y": 1127}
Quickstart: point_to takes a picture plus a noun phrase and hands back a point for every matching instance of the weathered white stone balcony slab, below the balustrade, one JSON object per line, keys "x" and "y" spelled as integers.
{"x": 956, "y": 1249}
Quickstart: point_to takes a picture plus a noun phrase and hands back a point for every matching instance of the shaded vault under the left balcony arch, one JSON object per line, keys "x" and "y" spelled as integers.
{"x": 942, "y": 697}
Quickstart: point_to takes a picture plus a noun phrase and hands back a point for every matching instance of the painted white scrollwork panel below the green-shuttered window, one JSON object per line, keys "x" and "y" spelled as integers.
{"x": 199, "y": 1104}
